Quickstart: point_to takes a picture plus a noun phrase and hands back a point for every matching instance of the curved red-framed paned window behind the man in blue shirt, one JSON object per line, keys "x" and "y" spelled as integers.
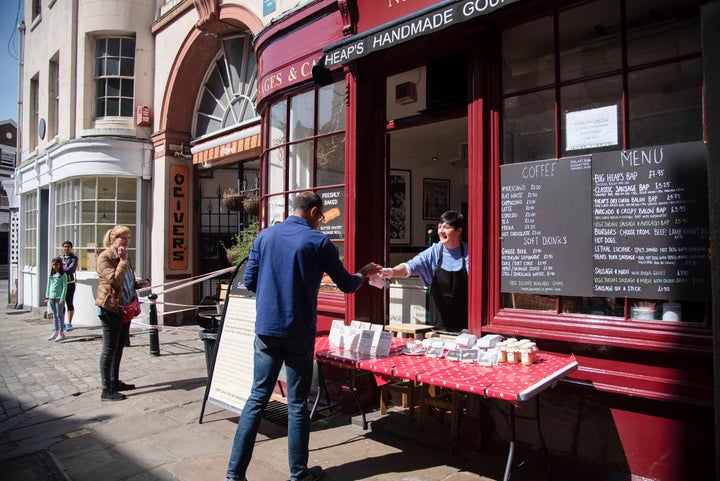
{"x": 306, "y": 150}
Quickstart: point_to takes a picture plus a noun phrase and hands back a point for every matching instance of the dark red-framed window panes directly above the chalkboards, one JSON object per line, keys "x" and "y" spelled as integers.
{"x": 657, "y": 93}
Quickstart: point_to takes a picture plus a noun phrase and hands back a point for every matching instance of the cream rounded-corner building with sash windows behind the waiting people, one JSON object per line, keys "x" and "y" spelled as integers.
{"x": 86, "y": 157}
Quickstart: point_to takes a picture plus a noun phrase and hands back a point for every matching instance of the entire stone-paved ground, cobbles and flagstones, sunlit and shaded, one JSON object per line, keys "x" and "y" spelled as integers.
{"x": 53, "y": 426}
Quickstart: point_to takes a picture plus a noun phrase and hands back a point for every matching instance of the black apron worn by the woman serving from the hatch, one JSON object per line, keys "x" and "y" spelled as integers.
{"x": 449, "y": 295}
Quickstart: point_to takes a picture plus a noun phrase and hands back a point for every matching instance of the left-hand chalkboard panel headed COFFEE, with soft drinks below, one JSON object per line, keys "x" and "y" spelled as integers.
{"x": 545, "y": 226}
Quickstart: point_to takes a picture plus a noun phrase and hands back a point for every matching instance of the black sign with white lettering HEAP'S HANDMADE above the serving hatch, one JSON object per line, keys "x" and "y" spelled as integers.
{"x": 419, "y": 24}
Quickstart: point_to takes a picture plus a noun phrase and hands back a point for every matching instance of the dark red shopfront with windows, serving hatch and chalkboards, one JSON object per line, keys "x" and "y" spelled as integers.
{"x": 574, "y": 137}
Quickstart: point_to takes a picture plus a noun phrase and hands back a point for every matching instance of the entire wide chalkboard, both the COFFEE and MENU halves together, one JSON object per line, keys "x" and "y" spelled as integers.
{"x": 630, "y": 223}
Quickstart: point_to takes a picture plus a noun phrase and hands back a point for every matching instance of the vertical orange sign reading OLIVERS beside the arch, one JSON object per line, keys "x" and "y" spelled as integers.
{"x": 178, "y": 248}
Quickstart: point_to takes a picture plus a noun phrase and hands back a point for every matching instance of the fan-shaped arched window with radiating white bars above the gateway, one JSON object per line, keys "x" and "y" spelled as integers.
{"x": 229, "y": 93}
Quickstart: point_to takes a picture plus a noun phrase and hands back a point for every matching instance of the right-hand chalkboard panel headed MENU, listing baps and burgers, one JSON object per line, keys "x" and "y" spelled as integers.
{"x": 650, "y": 223}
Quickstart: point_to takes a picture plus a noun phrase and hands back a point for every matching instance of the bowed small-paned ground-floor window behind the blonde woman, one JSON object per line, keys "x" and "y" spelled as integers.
{"x": 87, "y": 207}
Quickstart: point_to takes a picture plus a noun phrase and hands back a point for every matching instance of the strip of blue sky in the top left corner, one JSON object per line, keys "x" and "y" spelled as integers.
{"x": 12, "y": 15}
